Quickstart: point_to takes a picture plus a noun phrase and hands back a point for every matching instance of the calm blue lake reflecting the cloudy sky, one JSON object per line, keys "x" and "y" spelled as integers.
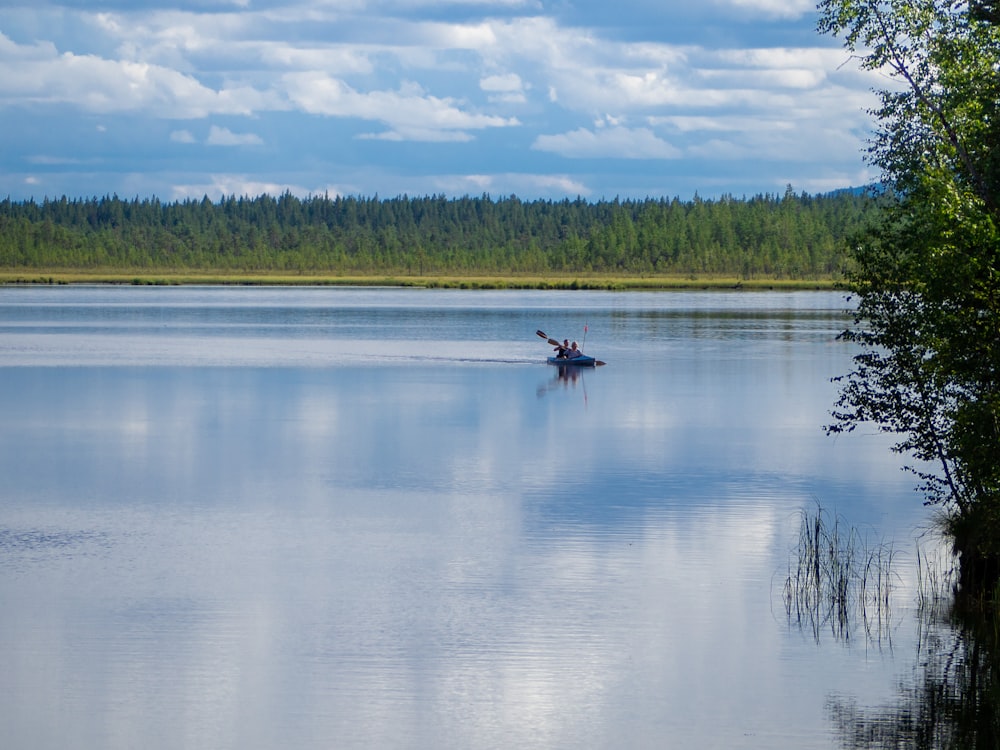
{"x": 358, "y": 518}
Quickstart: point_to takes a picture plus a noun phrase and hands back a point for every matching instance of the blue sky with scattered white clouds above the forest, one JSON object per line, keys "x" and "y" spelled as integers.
{"x": 542, "y": 99}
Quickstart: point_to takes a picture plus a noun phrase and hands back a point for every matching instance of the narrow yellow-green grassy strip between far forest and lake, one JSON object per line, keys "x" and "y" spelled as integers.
{"x": 443, "y": 281}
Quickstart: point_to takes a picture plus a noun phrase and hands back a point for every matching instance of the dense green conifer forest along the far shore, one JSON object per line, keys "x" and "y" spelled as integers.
{"x": 789, "y": 236}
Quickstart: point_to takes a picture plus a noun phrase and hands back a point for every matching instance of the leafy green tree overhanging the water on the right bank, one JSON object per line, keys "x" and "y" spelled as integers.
{"x": 927, "y": 274}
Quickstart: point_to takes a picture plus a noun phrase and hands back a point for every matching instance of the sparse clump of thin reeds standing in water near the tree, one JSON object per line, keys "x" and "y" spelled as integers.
{"x": 838, "y": 577}
